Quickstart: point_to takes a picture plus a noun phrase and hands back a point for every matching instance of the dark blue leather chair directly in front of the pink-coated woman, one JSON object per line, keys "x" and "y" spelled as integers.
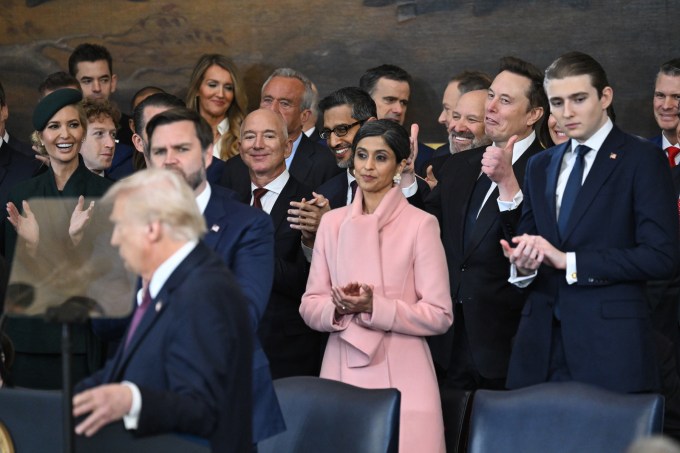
{"x": 332, "y": 417}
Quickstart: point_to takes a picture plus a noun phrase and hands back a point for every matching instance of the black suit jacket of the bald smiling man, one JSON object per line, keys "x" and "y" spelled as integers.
{"x": 292, "y": 348}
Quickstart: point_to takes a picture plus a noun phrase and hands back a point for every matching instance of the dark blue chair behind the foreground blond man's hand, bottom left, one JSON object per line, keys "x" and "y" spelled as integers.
{"x": 33, "y": 420}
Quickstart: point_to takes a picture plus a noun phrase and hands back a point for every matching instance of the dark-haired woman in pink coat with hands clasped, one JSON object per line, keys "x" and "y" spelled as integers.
{"x": 379, "y": 283}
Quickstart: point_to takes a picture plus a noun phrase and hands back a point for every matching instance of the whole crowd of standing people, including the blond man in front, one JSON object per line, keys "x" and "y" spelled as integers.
{"x": 540, "y": 243}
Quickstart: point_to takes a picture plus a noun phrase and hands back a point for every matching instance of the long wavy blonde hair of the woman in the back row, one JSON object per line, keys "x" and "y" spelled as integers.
{"x": 237, "y": 110}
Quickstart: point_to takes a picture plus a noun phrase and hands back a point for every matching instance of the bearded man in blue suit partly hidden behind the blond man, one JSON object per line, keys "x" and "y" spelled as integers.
{"x": 180, "y": 140}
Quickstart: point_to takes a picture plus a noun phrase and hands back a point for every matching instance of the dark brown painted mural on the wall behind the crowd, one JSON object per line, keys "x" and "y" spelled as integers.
{"x": 156, "y": 42}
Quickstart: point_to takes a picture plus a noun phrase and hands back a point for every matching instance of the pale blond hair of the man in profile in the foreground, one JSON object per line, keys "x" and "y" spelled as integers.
{"x": 159, "y": 195}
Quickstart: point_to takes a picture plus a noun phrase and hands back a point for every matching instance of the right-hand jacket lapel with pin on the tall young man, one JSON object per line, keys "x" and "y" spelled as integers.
{"x": 610, "y": 154}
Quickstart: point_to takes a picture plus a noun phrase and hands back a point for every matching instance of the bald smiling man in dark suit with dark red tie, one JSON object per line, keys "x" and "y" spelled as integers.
{"x": 291, "y": 346}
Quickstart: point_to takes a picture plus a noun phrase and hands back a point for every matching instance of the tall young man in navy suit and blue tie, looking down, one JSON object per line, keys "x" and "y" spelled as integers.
{"x": 599, "y": 219}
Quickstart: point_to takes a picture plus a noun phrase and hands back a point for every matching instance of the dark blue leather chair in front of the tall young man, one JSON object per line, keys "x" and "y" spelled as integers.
{"x": 561, "y": 417}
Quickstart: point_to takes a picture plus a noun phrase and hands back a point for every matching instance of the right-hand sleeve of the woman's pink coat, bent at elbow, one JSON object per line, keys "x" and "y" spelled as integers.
{"x": 432, "y": 313}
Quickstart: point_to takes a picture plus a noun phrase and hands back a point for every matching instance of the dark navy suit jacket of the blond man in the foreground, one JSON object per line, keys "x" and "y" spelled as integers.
{"x": 191, "y": 357}
